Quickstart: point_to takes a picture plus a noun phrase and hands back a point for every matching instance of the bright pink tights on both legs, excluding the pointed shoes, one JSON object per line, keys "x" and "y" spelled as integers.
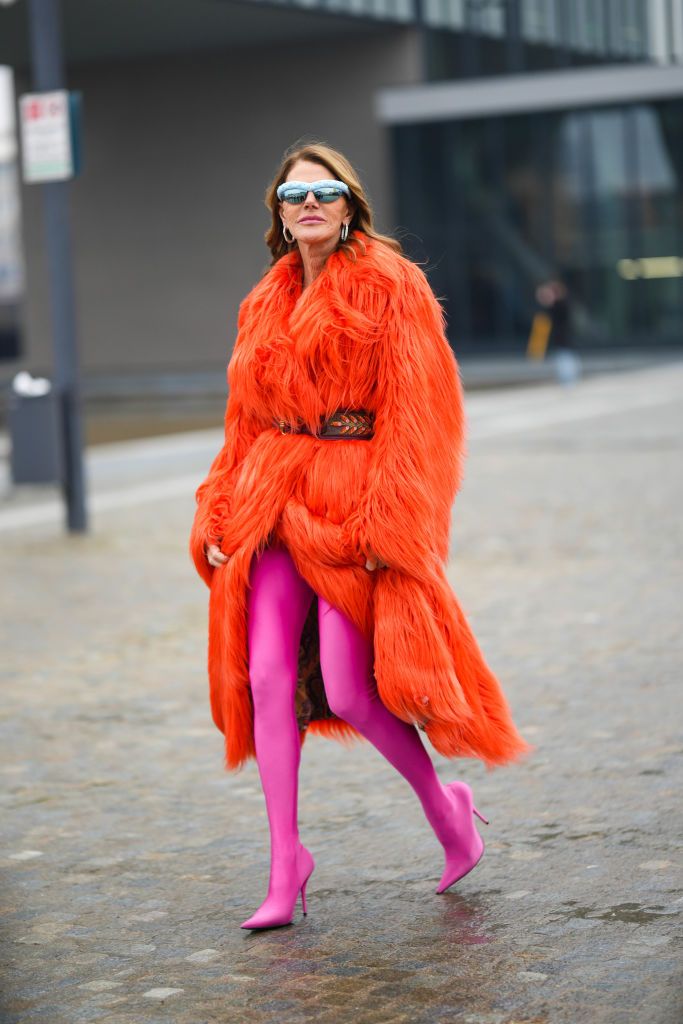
{"x": 279, "y": 601}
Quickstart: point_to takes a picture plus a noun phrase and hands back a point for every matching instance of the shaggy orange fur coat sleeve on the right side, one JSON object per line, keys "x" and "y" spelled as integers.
{"x": 419, "y": 449}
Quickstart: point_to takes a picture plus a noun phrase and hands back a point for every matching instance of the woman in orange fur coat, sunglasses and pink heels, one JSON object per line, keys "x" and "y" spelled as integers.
{"x": 323, "y": 526}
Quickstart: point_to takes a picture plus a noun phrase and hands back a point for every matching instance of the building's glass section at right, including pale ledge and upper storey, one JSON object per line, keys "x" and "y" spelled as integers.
{"x": 496, "y": 199}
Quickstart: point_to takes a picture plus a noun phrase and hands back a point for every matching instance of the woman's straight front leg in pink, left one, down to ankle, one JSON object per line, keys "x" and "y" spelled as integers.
{"x": 278, "y": 604}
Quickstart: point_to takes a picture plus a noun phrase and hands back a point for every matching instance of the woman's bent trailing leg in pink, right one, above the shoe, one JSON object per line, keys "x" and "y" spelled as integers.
{"x": 347, "y": 659}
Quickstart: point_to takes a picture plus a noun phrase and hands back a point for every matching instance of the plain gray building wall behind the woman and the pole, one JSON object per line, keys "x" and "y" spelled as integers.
{"x": 168, "y": 216}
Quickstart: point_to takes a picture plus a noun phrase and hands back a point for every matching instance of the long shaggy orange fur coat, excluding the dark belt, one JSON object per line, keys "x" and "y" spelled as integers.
{"x": 366, "y": 334}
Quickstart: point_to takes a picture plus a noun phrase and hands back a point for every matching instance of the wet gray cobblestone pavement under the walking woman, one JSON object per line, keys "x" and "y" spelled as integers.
{"x": 130, "y": 857}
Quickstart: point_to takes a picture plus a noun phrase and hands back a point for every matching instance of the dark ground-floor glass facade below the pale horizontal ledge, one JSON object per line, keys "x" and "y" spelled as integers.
{"x": 593, "y": 196}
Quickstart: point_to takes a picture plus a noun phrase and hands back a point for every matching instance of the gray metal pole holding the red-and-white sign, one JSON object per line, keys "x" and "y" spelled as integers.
{"x": 48, "y": 66}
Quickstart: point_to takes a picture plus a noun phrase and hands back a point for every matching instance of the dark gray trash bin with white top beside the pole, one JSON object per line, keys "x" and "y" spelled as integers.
{"x": 34, "y": 432}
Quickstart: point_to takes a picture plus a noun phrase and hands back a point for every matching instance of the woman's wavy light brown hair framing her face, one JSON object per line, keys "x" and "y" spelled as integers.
{"x": 341, "y": 169}
